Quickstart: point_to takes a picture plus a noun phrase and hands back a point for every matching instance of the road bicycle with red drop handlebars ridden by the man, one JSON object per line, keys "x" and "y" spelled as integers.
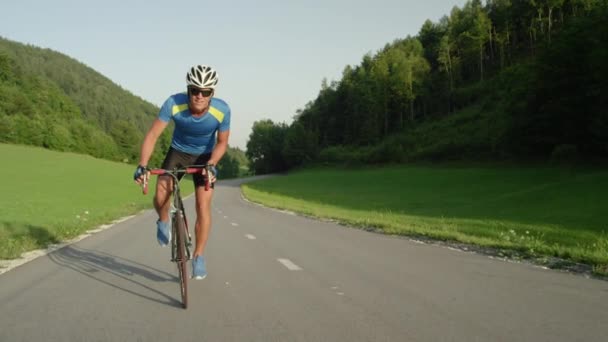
{"x": 181, "y": 240}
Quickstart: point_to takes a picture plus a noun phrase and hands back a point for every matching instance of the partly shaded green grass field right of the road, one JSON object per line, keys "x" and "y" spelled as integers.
{"x": 529, "y": 211}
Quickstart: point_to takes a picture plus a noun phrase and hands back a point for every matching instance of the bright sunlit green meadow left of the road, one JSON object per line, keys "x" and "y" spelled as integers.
{"x": 51, "y": 196}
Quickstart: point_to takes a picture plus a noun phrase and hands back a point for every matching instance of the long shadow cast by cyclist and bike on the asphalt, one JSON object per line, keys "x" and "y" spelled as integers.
{"x": 98, "y": 265}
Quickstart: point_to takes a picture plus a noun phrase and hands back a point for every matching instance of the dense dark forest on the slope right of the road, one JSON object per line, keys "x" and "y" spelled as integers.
{"x": 500, "y": 80}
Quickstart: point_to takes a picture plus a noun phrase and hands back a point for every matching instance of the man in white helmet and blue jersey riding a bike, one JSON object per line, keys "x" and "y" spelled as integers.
{"x": 198, "y": 118}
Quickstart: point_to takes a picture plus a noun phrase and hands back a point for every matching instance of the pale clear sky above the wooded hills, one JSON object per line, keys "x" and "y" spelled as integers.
{"x": 271, "y": 55}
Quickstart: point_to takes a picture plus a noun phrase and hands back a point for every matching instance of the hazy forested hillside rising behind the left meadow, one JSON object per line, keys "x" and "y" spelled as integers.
{"x": 51, "y": 100}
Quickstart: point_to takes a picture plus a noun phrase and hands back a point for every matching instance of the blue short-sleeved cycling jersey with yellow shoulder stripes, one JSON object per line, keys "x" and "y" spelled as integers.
{"x": 195, "y": 135}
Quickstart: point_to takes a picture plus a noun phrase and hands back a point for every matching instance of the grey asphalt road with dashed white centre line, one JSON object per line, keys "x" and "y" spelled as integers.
{"x": 275, "y": 276}
